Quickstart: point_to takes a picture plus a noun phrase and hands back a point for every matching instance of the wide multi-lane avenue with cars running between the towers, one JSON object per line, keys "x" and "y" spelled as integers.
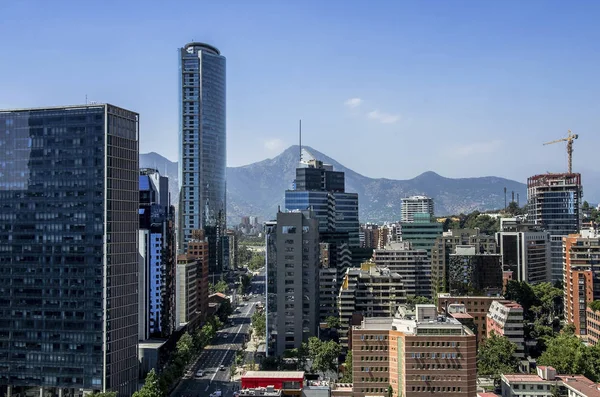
{"x": 222, "y": 352}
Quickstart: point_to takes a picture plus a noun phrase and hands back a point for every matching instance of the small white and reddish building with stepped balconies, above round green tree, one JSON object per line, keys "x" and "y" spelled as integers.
{"x": 505, "y": 318}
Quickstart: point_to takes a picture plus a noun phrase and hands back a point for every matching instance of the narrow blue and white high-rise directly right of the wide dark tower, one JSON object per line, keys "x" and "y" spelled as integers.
{"x": 157, "y": 257}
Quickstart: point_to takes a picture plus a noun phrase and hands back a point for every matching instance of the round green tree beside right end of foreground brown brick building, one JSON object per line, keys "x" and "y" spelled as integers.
{"x": 496, "y": 357}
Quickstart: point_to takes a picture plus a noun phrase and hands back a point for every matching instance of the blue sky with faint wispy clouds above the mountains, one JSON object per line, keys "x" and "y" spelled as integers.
{"x": 388, "y": 88}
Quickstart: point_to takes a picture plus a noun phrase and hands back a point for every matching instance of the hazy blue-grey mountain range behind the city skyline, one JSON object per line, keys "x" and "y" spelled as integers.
{"x": 258, "y": 189}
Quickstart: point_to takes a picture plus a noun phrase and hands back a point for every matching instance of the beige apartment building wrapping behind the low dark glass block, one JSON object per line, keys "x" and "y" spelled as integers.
{"x": 446, "y": 244}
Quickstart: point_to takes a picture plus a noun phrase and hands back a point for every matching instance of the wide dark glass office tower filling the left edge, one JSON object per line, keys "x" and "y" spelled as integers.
{"x": 68, "y": 249}
